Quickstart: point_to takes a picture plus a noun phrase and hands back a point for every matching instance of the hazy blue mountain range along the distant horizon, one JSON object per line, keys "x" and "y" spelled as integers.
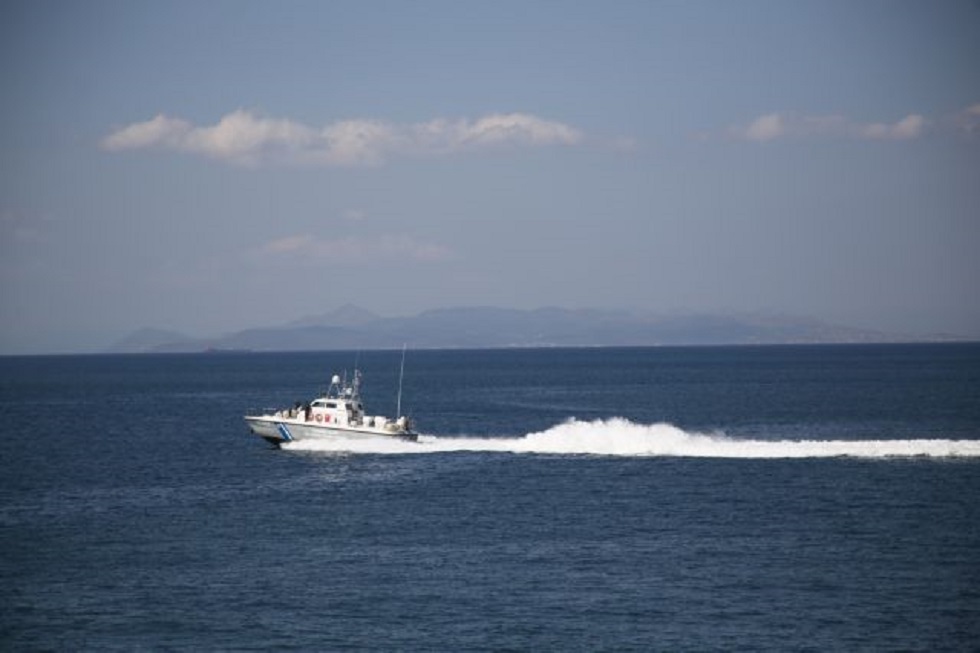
{"x": 352, "y": 327}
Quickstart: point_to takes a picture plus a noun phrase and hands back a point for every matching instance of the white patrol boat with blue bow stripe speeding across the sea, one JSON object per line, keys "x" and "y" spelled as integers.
{"x": 338, "y": 413}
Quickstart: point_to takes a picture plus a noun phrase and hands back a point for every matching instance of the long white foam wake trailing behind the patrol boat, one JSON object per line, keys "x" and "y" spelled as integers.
{"x": 620, "y": 437}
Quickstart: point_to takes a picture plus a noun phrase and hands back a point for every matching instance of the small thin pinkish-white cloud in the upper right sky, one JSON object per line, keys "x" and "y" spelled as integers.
{"x": 773, "y": 126}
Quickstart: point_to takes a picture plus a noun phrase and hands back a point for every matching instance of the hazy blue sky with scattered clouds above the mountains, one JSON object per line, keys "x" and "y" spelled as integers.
{"x": 212, "y": 166}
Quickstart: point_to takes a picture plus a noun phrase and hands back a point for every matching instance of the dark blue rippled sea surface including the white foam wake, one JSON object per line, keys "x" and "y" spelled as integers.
{"x": 781, "y": 498}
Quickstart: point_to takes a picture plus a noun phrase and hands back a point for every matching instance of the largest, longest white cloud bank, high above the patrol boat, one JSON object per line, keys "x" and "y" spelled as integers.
{"x": 244, "y": 138}
